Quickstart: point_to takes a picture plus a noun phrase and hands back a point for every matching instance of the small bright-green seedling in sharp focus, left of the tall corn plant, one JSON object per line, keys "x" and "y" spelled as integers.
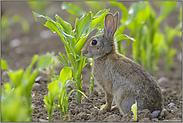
{"x": 58, "y": 90}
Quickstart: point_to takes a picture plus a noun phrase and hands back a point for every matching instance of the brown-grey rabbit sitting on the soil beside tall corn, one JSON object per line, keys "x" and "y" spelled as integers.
{"x": 120, "y": 77}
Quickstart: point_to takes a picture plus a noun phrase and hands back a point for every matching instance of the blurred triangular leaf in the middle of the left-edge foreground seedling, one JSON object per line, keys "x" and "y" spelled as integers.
{"x": 15, "y": 77}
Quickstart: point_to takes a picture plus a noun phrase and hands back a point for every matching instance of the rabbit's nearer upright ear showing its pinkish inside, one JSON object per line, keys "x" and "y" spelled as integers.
{"x": 108, "y": 25}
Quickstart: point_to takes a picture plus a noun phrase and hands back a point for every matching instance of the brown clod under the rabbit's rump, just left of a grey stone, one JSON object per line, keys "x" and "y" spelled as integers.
{"x": 145, "y": 113}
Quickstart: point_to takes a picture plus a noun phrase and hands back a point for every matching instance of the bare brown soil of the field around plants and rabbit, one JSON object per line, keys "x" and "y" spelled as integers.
{"x": 33, "y": 43}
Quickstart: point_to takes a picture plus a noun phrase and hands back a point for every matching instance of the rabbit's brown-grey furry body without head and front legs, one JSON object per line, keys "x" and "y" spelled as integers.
{"x": 128, "y": 82}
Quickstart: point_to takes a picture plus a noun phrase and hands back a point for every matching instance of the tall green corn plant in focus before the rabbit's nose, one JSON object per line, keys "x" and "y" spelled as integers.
{"x": 74, "y": 40}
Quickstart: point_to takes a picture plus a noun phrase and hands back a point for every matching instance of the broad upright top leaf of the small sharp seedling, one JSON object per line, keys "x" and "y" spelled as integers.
{"x": 65, "y": 74}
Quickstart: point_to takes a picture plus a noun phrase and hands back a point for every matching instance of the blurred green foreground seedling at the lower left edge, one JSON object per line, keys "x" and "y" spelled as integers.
{"x": 16, "y": 94}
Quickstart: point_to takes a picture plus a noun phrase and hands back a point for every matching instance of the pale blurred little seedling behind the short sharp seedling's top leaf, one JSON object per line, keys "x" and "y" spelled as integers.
{"x": 50, "y": 70}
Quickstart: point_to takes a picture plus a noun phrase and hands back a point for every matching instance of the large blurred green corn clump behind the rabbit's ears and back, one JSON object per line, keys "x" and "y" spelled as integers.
{"x": 143, "y": 24}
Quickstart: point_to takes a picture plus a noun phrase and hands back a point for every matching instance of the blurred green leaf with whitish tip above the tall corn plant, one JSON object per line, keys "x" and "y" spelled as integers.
{"x": 72, "y": 9}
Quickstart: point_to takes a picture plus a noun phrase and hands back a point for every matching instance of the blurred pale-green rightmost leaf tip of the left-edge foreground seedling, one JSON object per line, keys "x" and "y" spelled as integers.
{"x": 44, "y": 61}
